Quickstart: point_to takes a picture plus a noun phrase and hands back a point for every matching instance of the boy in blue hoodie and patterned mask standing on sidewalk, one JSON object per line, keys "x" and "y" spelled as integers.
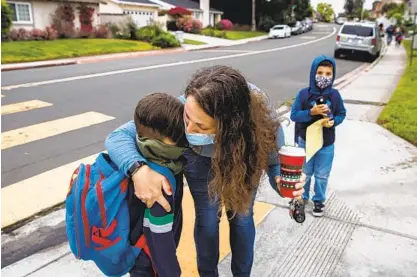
{"x": 319, "y": 100}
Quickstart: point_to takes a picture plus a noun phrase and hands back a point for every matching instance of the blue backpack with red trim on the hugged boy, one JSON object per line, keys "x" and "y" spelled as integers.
{"x": 97, "y": 216}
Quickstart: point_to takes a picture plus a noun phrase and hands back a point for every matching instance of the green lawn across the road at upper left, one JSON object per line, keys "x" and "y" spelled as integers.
{"x": 28, "y": 51}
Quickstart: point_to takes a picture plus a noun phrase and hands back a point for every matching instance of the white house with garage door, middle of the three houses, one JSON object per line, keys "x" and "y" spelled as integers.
{"x": 142, "y": 12}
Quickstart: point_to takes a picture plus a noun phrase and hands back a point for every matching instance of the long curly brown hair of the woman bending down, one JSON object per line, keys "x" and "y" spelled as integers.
{"x": 246, "y": 134}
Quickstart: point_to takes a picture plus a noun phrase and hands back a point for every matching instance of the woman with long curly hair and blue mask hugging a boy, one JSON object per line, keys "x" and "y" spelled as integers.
{"x": 232, "y": 131}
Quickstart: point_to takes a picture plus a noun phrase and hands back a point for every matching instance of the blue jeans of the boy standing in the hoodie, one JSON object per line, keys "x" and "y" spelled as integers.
{"x": 320, "y": 166}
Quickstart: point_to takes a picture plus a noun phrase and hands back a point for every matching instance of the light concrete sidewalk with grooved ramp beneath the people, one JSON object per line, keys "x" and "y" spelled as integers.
{"x": 370, "y": 227}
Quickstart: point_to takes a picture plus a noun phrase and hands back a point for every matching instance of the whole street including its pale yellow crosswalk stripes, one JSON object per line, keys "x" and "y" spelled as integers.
{"x": 73, "y": 108}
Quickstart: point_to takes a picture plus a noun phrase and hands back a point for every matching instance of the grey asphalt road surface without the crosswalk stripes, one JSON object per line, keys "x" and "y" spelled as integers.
{"x": 280, "y": 67}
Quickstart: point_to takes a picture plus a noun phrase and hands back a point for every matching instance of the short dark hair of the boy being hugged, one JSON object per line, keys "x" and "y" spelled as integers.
{"x": 163, "y": 114}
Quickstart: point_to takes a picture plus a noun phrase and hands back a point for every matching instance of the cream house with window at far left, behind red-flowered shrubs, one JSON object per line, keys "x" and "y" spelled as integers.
{"x": 36, "y": 14}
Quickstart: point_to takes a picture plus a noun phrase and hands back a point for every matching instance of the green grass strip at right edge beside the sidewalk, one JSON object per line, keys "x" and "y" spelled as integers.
{"x": 400, "y": 115}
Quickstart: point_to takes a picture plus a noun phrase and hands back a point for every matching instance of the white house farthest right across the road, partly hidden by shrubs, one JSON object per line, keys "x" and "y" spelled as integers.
{"x": 200, "y": 10}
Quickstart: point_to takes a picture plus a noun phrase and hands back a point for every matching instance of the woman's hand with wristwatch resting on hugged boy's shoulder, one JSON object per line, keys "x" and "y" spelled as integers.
{"x": 148, "y": 187}
